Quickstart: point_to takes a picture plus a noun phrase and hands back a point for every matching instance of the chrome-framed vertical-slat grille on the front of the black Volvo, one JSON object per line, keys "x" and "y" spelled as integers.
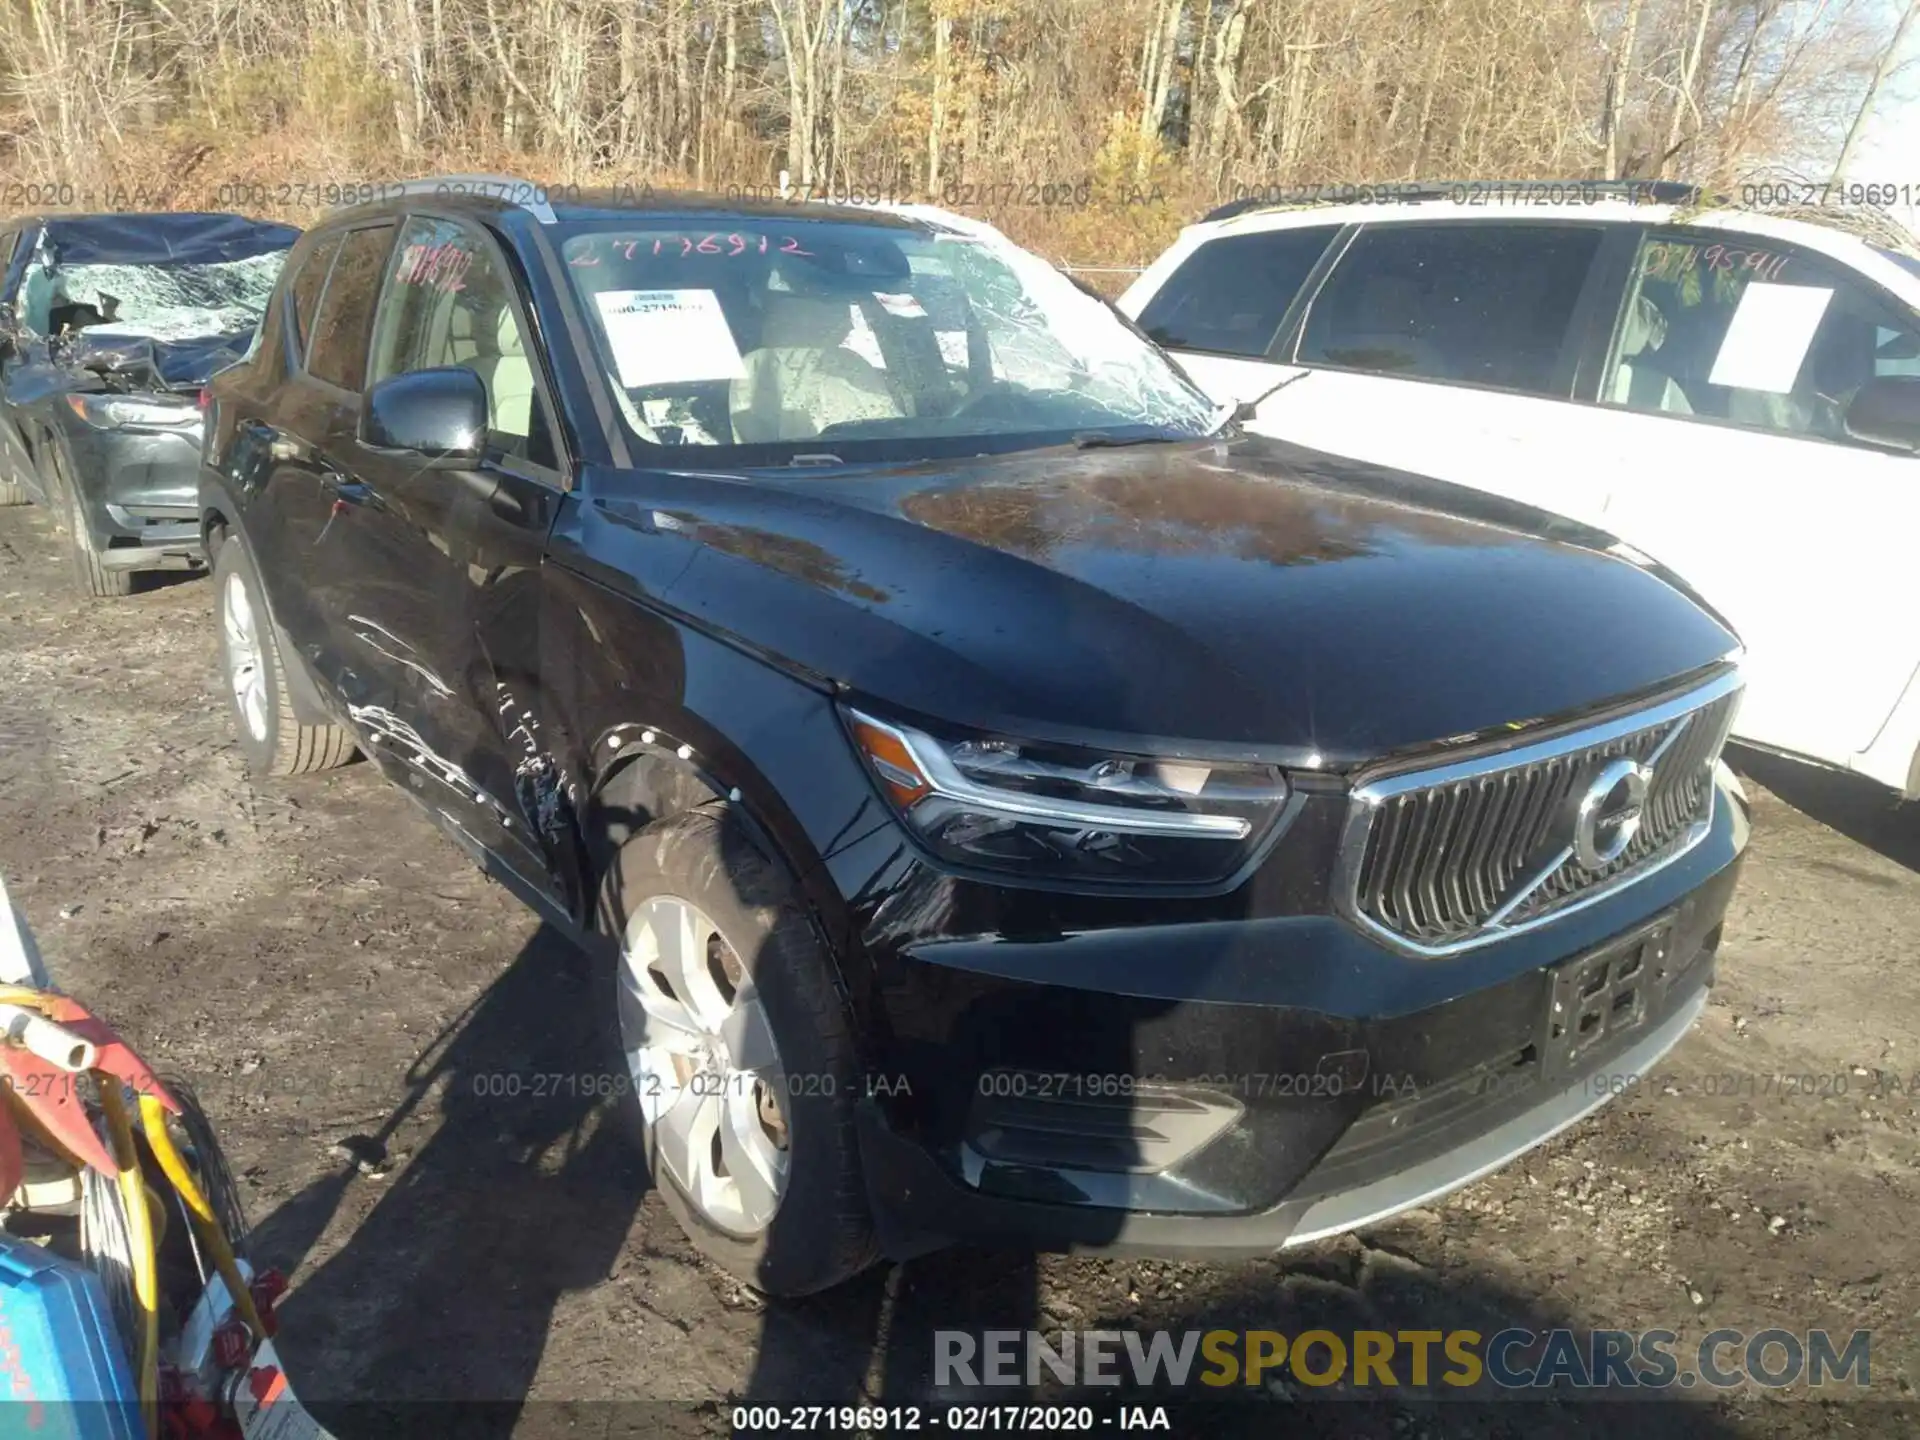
{"x": 1451, "y": 857}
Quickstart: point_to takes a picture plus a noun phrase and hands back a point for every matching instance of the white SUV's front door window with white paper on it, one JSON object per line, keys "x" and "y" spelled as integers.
{"x": 1742, "y": 329}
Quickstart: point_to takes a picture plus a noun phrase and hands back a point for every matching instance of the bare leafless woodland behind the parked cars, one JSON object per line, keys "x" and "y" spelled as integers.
{"x": 1174, "y": 99}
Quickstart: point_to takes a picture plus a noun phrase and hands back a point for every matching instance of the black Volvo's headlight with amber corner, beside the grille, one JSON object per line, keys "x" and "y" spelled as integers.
{"x": 1072, "y": 815}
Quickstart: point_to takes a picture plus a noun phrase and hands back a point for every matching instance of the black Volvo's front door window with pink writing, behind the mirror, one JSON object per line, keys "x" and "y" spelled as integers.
{"x": 448, "y": 302}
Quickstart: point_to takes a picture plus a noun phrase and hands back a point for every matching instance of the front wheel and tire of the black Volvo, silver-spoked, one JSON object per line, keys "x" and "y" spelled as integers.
{"x": 769, "y": 953}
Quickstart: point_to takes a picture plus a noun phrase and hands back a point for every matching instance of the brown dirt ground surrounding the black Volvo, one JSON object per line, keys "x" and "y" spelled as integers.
{"x": 352, "y": 997}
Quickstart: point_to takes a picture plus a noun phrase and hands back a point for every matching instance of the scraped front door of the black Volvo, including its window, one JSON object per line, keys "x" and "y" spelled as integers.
{"x": 439, "y": 598}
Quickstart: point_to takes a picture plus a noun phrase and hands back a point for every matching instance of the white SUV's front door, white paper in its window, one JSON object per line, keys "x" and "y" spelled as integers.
{"x": 1725, "y": 402}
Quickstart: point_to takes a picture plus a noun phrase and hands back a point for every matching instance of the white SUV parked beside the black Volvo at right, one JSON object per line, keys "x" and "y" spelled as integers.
{"x": 1731, "y": 393}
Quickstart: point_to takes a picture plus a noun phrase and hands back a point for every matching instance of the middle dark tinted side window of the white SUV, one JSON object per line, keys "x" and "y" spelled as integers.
{"x": 1476, "y": 304}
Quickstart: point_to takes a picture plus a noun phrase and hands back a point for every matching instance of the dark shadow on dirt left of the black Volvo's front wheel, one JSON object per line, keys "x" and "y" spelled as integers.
{"x": 523, "y": 1193}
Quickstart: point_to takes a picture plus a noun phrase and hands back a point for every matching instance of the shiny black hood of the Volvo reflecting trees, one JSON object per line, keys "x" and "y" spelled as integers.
{"x": 1237, "y": 598}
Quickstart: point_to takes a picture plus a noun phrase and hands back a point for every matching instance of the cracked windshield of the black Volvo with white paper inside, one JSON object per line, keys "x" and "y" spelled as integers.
{"x": 802, "y": 331}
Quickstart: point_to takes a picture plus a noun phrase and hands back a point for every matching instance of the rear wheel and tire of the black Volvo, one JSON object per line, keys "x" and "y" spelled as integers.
{"x": 272, "y": 736}
